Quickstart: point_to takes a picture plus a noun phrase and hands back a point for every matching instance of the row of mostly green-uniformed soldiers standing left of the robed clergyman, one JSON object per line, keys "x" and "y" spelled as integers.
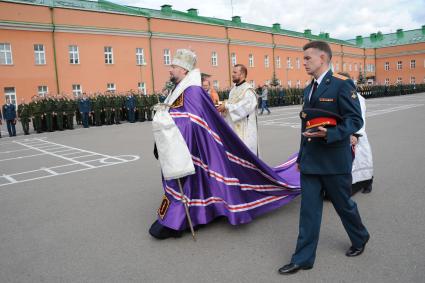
{"x": 57, "y": 112}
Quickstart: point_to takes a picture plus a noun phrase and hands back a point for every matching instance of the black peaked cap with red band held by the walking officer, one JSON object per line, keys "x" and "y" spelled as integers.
{"x": 315, "y": 118}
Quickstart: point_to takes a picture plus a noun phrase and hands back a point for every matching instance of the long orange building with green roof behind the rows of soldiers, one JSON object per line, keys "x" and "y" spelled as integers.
{"x": 74, "y": 46}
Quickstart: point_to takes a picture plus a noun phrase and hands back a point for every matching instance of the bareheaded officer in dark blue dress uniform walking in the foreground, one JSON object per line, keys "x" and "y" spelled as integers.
{"x": 325, "y": 158}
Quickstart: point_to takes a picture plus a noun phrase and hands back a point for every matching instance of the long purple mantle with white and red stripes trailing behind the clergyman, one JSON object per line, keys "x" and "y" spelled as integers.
{"x": 230, "y": 180}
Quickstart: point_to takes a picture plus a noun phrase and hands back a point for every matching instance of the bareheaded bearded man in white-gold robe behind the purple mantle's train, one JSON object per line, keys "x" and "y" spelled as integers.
{"x": 240, "y": 110}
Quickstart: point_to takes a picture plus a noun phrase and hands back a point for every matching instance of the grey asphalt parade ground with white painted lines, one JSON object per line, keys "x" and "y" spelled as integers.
{"x": 75, "y": 206}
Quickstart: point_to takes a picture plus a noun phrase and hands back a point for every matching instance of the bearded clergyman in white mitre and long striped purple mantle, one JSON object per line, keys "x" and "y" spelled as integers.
{"x": 219, "y": 174}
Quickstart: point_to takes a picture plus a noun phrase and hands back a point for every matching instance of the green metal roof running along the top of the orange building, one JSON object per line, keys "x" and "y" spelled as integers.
{"x": 374, "y": 41}
